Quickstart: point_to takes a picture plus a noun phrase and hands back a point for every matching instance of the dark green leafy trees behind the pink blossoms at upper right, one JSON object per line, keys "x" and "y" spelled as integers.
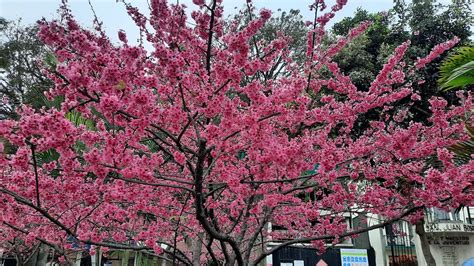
{"x": 424, "y": 22}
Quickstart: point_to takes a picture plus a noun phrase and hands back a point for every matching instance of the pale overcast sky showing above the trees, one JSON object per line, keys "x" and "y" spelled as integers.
{"x": 114, "y": 16}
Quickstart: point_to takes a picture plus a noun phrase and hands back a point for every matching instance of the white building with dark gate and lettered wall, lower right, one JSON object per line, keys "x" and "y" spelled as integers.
{"x": 450, "y": 236}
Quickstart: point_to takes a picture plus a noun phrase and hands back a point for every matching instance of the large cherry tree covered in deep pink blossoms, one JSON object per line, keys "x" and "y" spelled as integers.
{"x": 191, "y": 142}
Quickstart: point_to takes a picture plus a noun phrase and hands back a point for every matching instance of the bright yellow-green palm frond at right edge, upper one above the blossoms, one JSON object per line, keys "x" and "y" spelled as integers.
{"x": 457, "y": 71}
